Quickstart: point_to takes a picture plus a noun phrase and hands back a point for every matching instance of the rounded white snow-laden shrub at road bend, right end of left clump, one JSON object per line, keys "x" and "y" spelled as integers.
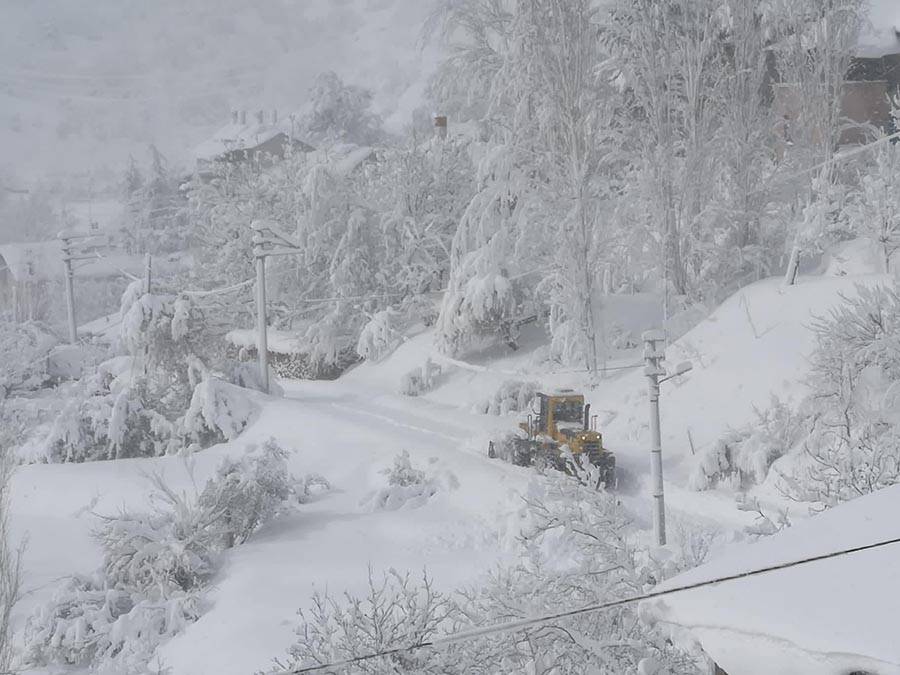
{"x": 218, "y": 412}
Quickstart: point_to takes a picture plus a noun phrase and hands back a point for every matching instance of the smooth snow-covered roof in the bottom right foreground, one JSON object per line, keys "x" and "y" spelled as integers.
{"x": 830, "y": 617}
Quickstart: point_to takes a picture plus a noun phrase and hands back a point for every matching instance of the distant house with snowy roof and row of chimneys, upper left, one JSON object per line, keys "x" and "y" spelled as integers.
{"x": 260, "y": 140}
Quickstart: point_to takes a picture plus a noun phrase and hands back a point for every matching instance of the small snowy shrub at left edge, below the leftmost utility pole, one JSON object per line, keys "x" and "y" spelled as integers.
{"x": 24, "y": 348}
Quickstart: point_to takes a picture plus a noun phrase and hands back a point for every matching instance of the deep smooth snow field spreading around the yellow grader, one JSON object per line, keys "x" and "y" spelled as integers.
{"x": 755, "y": 344}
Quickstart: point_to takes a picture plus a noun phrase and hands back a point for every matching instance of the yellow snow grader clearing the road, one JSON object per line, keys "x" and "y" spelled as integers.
{"x": 562, "y": 419}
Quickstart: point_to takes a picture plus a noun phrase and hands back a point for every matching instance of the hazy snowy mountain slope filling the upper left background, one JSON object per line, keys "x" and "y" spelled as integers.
{"x": 83, "y": 87}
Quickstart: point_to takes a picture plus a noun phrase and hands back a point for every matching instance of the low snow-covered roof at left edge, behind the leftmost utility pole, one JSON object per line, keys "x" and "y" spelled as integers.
{"x": 42, "y": 261}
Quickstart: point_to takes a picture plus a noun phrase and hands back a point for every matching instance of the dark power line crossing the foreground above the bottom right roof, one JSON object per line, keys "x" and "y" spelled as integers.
{"x": 543, "y": 619}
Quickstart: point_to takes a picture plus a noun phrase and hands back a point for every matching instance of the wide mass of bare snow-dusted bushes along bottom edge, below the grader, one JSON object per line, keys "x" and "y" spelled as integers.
{"x": 577, "y": 546}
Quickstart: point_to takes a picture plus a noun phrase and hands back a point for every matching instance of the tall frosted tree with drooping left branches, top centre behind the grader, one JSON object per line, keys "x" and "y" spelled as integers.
{"x": 545, "y": 176}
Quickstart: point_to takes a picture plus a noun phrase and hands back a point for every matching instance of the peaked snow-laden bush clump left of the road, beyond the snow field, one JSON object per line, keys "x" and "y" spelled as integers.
{"x": 162, "y": 399}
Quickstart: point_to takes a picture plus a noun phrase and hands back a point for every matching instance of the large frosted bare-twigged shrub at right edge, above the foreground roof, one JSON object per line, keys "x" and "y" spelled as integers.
{"x": 854, "y": 444}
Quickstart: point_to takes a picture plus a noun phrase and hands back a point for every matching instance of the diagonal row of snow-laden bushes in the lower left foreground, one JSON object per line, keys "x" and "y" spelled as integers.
{"x": 156, "y": 565}
